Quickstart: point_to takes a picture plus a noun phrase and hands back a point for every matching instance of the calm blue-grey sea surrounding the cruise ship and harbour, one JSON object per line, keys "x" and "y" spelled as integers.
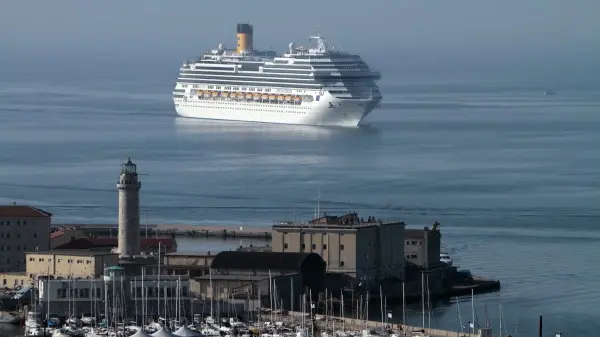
{"x": 511, "y": 174}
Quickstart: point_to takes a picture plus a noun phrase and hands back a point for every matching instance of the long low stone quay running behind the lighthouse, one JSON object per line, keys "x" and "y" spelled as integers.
{"x": 178, "y": 230}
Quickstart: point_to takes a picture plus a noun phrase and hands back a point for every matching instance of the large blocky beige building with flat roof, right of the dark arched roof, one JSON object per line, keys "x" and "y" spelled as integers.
{"x": 364, "y": 249}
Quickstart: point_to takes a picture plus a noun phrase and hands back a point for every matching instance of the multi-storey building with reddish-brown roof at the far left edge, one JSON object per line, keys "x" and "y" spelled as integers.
{"x": 22, "y": 229}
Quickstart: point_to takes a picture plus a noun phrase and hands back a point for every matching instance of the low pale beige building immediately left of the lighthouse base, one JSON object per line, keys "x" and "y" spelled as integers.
{"x": 81, "y": 264}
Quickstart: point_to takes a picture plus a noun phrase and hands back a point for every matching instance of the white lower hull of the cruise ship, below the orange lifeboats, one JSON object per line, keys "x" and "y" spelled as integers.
{"x": 328, "y": 111}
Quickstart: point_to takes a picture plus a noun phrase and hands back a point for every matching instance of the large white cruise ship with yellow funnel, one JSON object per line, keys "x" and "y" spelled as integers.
{"x": 316, "y": 85}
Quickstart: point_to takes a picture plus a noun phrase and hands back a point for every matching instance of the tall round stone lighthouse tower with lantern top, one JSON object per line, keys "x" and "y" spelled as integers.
{"x": 129, "y": 211}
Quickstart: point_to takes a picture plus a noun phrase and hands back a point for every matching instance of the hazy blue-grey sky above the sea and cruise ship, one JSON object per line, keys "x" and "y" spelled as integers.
{"x": 386, "y": 32}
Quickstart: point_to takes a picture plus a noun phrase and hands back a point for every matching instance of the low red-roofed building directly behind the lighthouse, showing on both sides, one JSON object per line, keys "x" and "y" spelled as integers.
{"x": 147, "y": 245}
